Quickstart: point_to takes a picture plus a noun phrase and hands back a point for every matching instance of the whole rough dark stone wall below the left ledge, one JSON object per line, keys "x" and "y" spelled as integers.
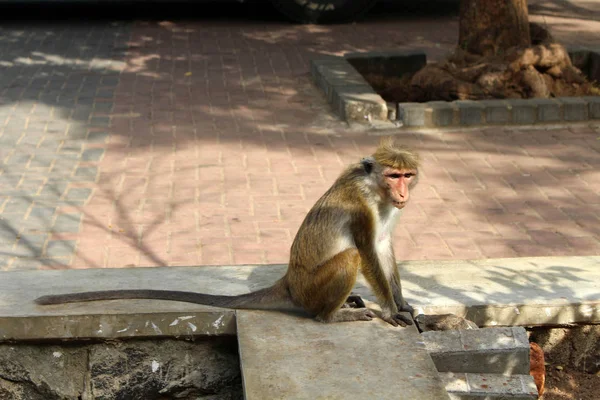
{"x": 122, "y": 370}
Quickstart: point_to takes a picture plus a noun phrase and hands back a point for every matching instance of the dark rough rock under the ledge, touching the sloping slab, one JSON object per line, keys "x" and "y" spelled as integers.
{"x": 167, "y": 369}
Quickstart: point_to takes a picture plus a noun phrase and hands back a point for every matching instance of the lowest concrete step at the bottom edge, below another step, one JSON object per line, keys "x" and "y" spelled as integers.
{"x": 471, "y": 386}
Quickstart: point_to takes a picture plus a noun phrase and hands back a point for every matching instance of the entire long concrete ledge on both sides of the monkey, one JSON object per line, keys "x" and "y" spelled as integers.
{"x": 494, "y": 292}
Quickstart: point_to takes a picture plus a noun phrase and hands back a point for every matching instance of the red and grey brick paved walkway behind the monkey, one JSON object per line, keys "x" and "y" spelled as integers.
{"x": 187, "y": 143}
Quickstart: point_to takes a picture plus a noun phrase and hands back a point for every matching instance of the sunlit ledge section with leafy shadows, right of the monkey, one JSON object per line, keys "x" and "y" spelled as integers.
{"x": 527, "y": 291}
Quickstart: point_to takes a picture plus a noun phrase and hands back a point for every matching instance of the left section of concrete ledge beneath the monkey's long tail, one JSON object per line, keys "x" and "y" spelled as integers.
{"x": 22, "y": 319}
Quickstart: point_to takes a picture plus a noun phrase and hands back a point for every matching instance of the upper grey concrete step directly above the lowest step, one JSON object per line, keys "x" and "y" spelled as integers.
{"x": 489, "y": 350}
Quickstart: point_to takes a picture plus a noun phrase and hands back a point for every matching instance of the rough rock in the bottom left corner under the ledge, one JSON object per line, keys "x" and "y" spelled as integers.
{"x": 32, "y": 372}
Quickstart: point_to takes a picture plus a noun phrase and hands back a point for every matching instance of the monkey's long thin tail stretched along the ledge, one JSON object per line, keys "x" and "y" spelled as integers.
{"x": 274, "y": 297}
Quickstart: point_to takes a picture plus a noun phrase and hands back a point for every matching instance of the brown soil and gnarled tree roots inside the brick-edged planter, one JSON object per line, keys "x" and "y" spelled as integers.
{"x": 544, "y": 70}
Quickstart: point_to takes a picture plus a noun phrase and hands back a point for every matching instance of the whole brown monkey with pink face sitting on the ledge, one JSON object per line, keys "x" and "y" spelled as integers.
{"x": 348, "y": 230}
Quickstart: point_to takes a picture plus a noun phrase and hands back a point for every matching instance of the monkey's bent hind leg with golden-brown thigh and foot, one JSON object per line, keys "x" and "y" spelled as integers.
{"x": 330, "y": 287}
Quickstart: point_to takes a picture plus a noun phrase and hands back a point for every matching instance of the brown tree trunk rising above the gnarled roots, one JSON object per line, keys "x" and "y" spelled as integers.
{"x": 490, "y": 27}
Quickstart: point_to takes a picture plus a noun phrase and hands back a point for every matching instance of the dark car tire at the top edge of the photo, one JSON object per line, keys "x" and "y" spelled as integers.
{"x": 323, "y": 11}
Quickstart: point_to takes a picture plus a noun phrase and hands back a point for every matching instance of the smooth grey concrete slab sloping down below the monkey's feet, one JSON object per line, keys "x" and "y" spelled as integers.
{"x": 290, "y": 357}
